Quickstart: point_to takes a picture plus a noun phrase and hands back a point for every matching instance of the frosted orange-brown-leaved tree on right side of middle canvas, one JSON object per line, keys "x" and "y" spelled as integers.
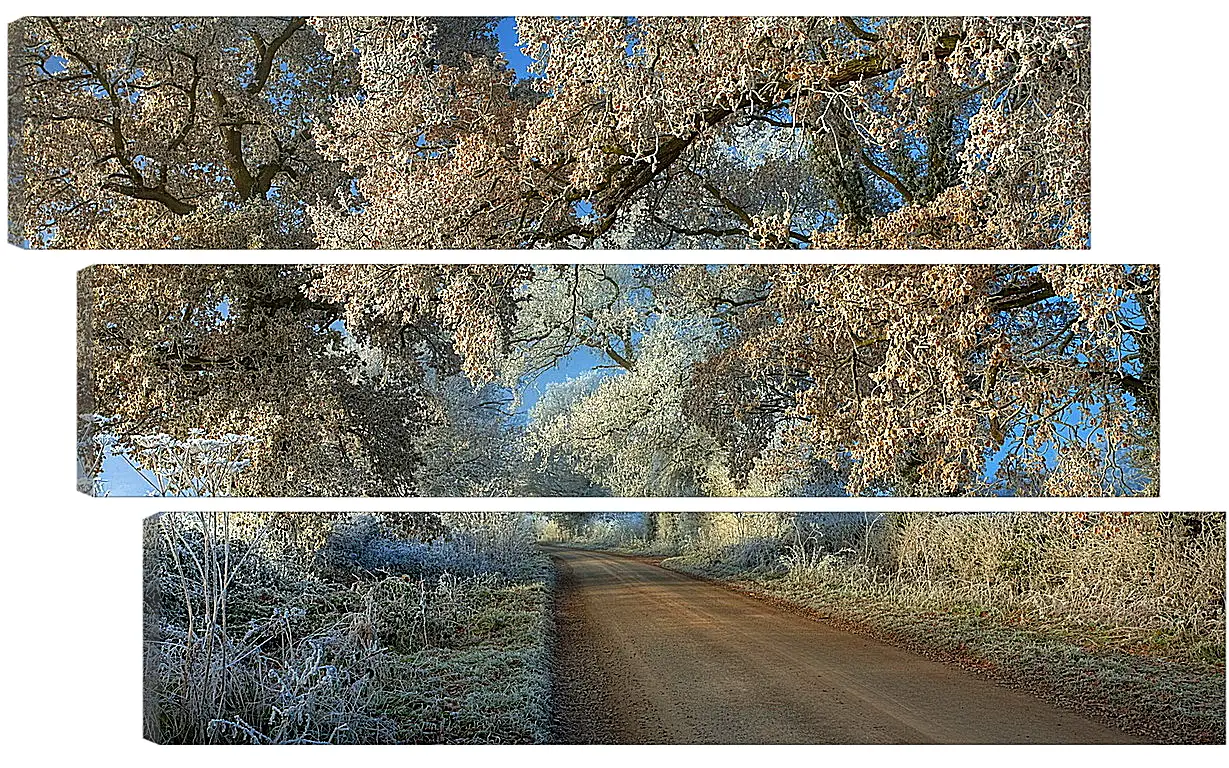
{"x": 917, "y": 378}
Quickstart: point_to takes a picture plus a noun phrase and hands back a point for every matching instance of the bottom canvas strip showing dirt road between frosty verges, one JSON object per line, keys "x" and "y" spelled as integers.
{"x": 685, "y": 629}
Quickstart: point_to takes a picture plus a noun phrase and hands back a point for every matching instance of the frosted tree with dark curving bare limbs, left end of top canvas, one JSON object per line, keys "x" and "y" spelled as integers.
{"x": 169, "y": 132}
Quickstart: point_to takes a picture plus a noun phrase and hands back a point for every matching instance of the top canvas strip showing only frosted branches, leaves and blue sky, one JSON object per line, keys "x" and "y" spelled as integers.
{"x": 550, "y": 133}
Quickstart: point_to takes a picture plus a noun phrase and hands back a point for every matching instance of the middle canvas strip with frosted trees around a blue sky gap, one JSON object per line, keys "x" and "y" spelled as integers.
{"x": 626, "y": 380}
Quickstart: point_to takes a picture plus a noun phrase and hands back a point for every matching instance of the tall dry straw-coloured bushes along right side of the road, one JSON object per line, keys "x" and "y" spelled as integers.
{"x": 1151, "y": 579}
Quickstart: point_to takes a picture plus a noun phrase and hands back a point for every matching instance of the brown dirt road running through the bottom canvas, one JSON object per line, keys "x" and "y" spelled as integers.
{"x": 652, "y": 656}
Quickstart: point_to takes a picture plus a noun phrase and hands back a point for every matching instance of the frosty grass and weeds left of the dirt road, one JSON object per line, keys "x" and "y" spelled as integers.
{"x": 286, "y": 654}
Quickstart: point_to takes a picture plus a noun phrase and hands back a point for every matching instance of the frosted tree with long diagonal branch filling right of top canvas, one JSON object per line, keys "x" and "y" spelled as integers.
{"x": 770, "y": 132}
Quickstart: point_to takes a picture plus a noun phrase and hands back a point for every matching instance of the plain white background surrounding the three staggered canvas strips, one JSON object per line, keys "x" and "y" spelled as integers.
{"x": 72, "y": 657}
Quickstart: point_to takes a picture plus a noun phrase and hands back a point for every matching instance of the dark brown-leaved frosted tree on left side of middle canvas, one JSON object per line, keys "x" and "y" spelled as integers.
{"x": 261, "y": 351}
